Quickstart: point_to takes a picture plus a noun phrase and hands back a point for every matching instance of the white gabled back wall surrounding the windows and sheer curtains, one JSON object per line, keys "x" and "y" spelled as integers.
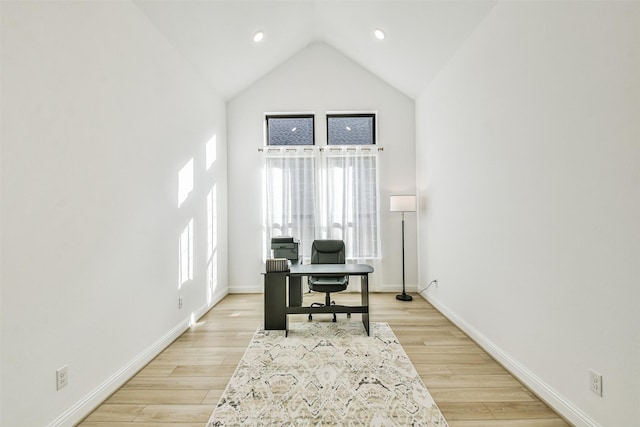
{"x": 318, "y": 79}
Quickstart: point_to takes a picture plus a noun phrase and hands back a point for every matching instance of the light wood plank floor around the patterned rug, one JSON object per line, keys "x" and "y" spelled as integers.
{"x": 182, "y": 385}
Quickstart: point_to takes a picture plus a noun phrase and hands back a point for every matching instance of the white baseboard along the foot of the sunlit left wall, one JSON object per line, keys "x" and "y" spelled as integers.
{"x": 84, "y": 406}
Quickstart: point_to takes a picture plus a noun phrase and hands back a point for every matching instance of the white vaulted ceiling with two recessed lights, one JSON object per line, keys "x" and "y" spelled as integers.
{"x": 216, "y": 36}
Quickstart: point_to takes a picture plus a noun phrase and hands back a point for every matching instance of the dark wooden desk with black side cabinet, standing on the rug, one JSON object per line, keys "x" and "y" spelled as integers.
{"x": 275, "y": 292}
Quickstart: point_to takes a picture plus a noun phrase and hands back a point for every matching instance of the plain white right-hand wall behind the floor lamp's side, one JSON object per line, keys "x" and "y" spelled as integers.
{"x": 529, "y": 171}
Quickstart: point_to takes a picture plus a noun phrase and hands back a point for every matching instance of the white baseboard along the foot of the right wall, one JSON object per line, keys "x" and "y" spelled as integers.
{"x": 547, "y": 393}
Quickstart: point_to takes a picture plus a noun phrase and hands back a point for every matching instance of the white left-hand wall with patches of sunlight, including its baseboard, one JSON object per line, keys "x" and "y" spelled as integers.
{"x": 99, "y": 114}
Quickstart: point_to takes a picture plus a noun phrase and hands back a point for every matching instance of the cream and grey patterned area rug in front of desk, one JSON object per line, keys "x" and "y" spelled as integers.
{"x": 326, "y": 374}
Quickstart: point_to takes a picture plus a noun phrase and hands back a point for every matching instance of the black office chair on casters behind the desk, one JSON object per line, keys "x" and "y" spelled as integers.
{"x": 328, "y": 252}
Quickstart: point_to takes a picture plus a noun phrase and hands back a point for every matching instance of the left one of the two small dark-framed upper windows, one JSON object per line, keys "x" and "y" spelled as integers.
{"x": 290, "y": 129}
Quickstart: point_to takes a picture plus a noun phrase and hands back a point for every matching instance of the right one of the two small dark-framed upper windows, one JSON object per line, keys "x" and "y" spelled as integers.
{"x": 351, "y": 129}
